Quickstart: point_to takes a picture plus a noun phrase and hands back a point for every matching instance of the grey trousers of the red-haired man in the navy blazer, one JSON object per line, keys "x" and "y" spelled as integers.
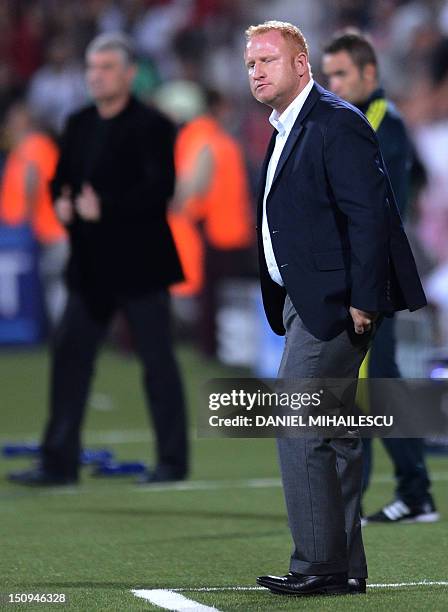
{"x": 322, "y": 477}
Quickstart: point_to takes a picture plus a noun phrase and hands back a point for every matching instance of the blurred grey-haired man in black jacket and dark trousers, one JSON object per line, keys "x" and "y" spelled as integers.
{"x": 112, "y": 185}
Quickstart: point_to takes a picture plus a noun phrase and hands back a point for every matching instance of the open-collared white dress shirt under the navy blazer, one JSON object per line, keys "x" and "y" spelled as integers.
{"x": 283, "y": 124}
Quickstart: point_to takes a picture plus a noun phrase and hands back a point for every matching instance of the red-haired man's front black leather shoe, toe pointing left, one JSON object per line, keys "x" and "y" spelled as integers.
{"x": 300, "y": 584}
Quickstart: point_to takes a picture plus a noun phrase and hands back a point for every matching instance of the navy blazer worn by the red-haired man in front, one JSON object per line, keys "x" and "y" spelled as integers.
{"x": 335, "y": 227}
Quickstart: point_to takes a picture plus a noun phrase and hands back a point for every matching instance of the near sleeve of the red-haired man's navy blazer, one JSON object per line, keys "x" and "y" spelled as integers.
{"x": 358, "y": 183}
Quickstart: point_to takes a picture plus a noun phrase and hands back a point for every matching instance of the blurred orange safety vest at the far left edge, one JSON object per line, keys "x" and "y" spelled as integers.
{"x": 42, "y": 152}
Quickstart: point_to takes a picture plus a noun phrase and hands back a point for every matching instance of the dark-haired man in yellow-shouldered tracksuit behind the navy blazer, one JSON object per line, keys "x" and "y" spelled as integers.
{"x": 351, "y": 66}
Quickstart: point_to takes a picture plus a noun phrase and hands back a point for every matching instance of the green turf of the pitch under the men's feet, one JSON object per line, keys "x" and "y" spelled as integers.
{"x": 97, "y": 542}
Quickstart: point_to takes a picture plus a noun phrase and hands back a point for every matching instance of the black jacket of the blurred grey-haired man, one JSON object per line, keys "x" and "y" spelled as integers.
{"x": 128, "y": 160}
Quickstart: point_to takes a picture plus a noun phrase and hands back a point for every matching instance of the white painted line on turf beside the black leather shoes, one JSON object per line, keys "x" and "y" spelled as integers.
{"x": 171, "y": 599}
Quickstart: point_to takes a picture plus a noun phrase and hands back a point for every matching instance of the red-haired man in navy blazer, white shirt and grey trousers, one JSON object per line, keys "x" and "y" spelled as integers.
{"x": 334, "y": 259}
